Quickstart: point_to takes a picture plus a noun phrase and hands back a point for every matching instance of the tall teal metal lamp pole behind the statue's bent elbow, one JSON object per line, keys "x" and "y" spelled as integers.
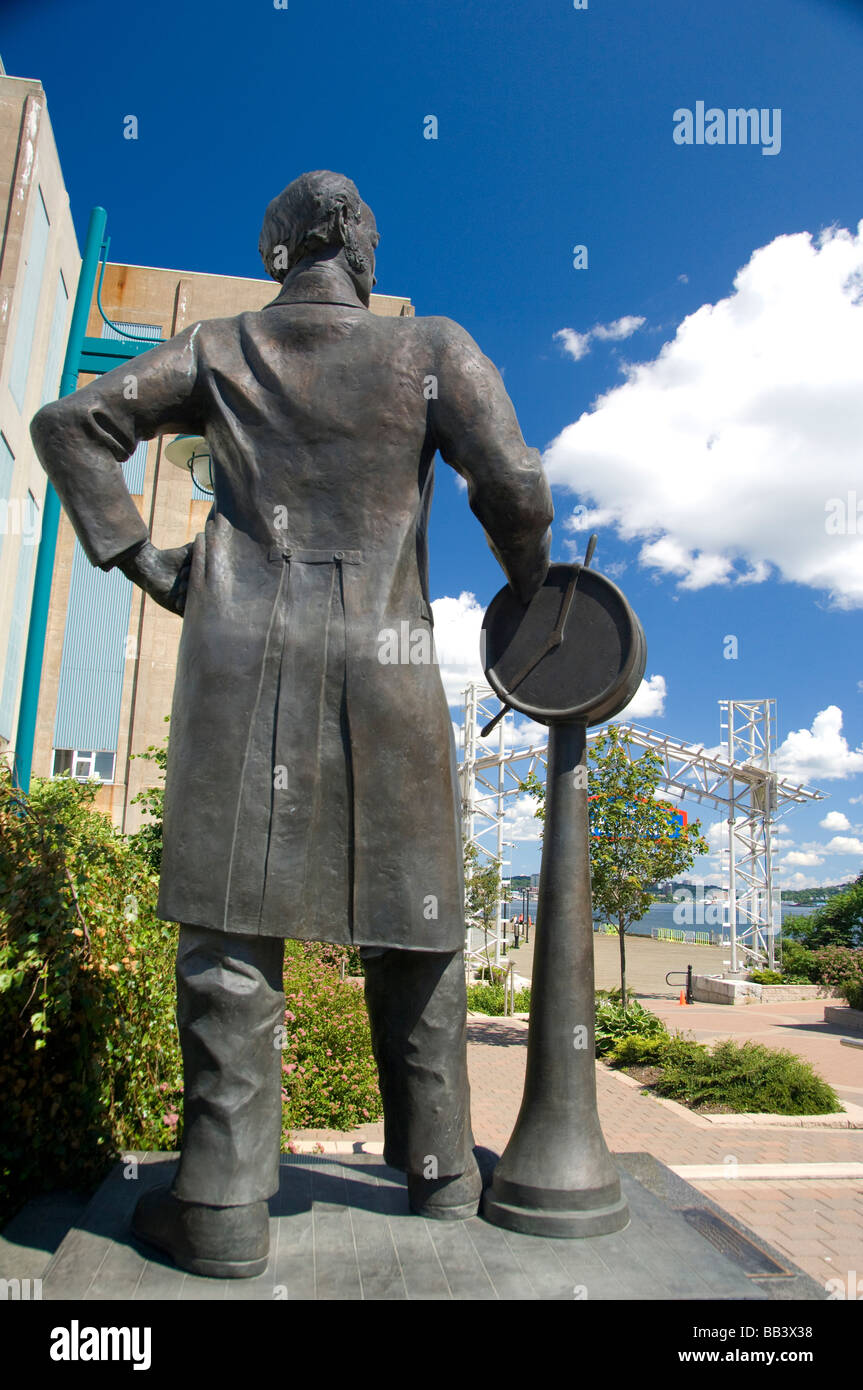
{"x": 51, "y": 515}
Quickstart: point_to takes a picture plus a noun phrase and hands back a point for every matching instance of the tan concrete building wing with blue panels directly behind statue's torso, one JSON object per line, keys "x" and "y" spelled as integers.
{"x": 110, "y": 654}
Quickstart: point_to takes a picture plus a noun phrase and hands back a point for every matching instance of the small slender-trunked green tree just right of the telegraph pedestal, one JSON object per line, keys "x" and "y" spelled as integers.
{"x": 634, "y": 840}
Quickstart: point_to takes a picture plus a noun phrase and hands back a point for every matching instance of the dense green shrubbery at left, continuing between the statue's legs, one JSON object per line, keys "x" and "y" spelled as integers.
{"x": 90, "y": 1056}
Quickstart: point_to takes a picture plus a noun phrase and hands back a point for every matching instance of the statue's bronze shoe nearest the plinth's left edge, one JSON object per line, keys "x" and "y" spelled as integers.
{"x": 216, "y": 1242}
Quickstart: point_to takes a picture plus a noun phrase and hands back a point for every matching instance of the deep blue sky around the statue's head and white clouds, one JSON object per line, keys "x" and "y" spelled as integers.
{"x": 708, "y": 473}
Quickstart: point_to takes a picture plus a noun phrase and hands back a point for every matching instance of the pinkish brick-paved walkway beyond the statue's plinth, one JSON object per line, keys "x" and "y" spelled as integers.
{"x": 801, "y": 1189}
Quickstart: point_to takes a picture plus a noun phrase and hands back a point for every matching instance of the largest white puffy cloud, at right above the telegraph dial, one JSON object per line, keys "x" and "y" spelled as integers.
{"x": 732, "y": 455}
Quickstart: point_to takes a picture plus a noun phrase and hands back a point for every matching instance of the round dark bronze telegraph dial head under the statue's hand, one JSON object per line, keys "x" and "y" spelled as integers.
{"x": 576, "y": 654}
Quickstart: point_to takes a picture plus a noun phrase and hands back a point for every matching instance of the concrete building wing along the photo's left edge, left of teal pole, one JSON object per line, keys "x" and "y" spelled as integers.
{"x": 40, "y": 265}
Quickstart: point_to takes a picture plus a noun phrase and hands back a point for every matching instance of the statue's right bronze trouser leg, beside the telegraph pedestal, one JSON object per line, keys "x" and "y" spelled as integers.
{"x": 418, "y": 1008}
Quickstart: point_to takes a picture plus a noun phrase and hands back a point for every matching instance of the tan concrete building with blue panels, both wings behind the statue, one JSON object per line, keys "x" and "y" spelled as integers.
{"x": 110, "y": 654}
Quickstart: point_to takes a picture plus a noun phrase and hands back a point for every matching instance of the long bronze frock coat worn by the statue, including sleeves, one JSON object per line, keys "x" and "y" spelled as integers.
{"x": 312, "y": 785}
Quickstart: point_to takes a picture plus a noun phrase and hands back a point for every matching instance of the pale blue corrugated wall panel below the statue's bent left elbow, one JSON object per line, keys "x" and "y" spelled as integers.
{"x": 94, "y": 657}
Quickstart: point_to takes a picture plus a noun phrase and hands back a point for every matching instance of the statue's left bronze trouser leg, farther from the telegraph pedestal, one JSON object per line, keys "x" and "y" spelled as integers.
{"x": 230, "y": 1006}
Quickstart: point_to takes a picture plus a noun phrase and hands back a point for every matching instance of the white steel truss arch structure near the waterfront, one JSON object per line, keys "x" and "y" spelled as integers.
{"x": 739, "y": 779}
